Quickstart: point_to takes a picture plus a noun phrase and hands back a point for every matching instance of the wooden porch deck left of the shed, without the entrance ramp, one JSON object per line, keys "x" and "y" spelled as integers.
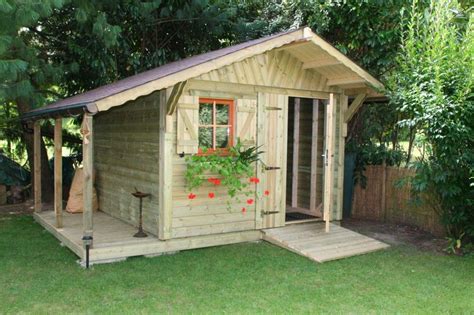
{"x": 114, "y": 241}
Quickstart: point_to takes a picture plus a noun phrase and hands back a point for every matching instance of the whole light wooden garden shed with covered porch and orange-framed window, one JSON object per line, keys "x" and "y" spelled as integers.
{"x": 289, "y": 93}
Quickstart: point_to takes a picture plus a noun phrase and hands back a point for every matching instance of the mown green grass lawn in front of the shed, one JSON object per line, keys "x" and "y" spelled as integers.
{"x": 39, "y": 276}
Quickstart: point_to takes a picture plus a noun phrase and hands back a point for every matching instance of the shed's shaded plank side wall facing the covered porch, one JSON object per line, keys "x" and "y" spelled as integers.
{"x": 126, "y": 153}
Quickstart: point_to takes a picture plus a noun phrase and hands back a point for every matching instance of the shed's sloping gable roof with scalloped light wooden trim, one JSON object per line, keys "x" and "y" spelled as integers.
{"x": 118, "y": 93}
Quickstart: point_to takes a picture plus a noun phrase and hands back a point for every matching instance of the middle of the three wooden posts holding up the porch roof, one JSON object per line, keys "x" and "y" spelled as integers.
{"x": 58, "y": 172}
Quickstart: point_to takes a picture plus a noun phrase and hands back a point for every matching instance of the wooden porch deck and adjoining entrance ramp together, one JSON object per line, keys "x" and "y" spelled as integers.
{"x": 114, "y": 241}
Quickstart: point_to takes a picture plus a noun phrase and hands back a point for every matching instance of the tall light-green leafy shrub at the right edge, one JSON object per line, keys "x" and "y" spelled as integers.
{"x": 433, "y": 88}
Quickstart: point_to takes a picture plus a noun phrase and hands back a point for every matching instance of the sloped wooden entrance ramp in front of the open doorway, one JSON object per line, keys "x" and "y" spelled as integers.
{"x": 311, "y": 240}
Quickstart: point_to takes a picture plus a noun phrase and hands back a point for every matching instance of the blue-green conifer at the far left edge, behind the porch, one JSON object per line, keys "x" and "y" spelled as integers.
{"x": 25, "y": 72}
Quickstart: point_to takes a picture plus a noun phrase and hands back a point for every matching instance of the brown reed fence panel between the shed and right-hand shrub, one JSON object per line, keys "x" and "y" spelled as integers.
{"x": 383, "y": 200}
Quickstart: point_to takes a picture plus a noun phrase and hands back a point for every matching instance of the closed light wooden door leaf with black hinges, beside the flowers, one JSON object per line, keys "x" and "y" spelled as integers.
{"x": 271, "y": 135}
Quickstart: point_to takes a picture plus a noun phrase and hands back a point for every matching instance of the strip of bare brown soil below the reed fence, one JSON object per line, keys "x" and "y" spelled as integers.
{"x": 396, "y": 234}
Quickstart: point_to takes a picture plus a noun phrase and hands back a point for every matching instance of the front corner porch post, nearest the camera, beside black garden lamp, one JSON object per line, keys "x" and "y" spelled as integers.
{"x": 88, "y": 170}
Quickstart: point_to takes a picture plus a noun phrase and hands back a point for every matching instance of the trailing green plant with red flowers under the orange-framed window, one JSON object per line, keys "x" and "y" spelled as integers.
{"x": 227, "y": 168}
